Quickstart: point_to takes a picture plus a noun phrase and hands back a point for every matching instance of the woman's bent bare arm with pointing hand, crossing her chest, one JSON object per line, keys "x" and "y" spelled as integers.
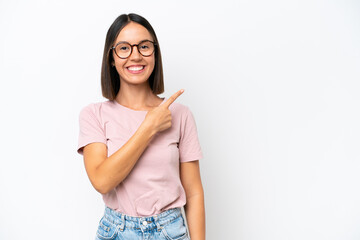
{"x": 105, "y": 173}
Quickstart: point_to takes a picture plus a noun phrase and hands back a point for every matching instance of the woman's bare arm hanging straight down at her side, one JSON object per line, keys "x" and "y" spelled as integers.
{"x": 195, "y": 207}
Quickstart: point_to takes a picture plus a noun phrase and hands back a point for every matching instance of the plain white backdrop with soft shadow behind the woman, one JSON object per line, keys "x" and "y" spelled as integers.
{"x": 273, "y": 85}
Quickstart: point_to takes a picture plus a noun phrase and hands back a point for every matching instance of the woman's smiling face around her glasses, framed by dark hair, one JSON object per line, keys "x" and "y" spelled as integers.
{"x": 136, "y": 69}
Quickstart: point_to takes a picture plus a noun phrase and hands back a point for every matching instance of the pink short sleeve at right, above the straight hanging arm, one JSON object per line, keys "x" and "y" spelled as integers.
{"x": 189, "y": 145}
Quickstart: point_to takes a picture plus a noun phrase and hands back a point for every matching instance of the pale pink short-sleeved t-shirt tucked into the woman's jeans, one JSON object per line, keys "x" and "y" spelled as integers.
{"x": 153, "y": 185}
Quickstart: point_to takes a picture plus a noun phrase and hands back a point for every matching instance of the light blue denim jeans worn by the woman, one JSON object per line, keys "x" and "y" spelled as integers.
{"x": 168, "y": 225}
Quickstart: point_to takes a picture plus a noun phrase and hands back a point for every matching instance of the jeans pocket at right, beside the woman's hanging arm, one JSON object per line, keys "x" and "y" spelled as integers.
{"x": 175, "y": 230}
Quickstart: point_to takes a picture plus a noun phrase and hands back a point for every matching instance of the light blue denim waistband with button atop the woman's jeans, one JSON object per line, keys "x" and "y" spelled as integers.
{"x": 144, "y": 223}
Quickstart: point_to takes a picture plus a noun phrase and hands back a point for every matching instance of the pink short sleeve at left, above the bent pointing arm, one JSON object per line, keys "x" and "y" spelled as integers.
{"x": 90, "y": 129}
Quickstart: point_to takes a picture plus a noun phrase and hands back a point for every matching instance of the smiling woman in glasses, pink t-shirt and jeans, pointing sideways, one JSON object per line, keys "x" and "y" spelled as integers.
{"x": 140, "y": 151}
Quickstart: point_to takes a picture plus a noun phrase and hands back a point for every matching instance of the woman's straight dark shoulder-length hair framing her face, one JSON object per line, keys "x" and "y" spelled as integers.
{"x": 110, "y": 80}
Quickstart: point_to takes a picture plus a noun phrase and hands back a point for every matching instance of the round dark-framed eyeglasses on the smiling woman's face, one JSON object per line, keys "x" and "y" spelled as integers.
{"x": 124, "y": 49}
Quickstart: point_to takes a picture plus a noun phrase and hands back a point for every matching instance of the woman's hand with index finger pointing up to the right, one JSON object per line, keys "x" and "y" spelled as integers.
{"x": 159, "y": 118}
